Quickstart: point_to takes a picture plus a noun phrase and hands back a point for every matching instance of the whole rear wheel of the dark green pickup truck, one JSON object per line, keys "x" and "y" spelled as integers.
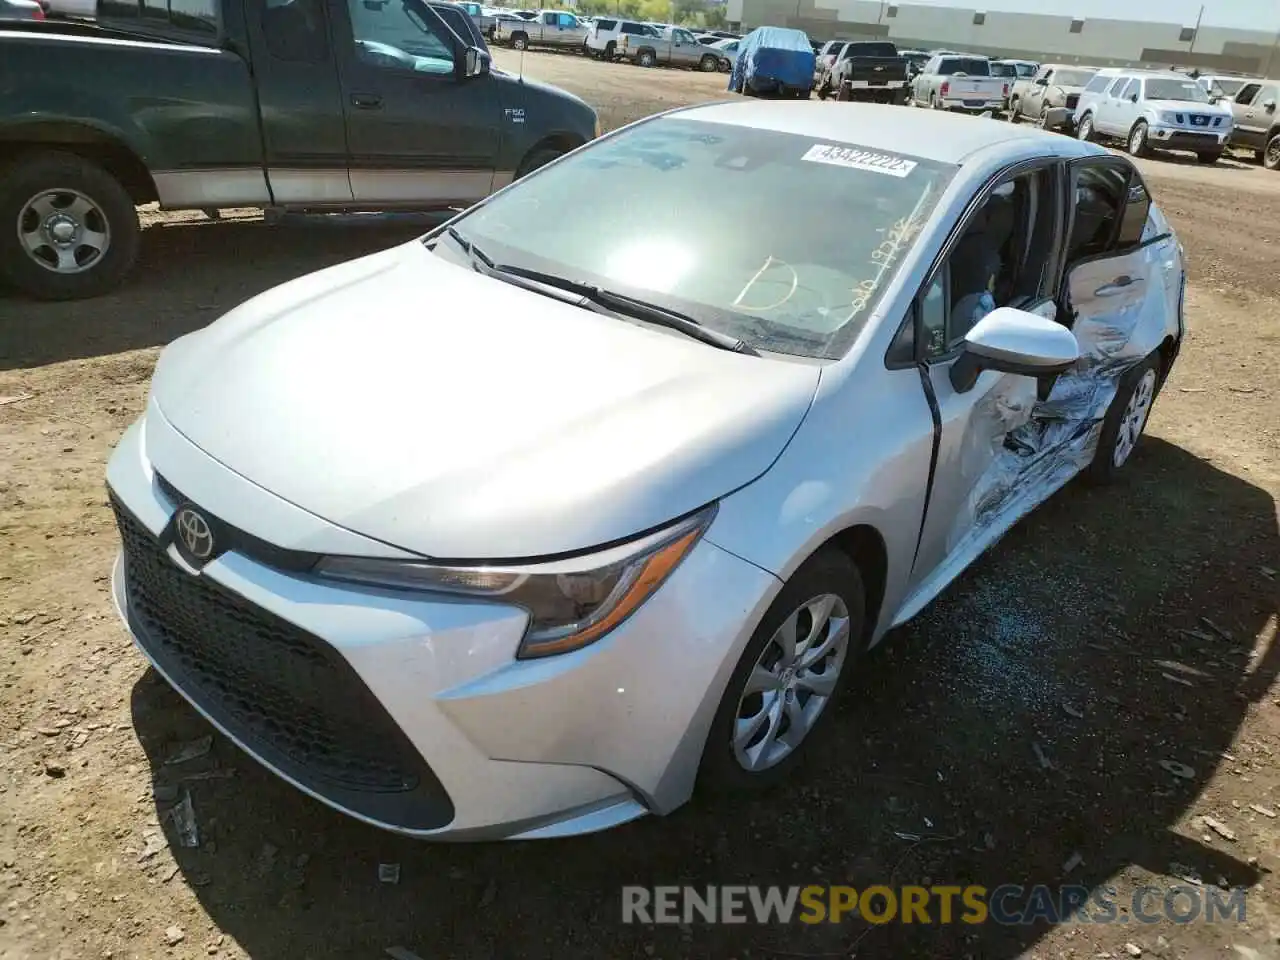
{"x": 68, "y": 230}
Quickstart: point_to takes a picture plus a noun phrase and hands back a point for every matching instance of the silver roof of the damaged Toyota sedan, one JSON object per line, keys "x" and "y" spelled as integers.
{"x": 934, "y": 135}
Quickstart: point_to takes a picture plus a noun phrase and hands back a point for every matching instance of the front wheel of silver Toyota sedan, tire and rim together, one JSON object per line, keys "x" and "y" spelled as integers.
{"x": 792, "y": 673}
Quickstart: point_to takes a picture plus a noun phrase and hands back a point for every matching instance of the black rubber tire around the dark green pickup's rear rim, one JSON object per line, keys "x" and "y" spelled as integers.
{"x": 52, "y": 172}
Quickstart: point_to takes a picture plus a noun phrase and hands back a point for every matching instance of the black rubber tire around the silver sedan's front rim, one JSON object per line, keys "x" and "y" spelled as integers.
{"x": 826, "y": 573}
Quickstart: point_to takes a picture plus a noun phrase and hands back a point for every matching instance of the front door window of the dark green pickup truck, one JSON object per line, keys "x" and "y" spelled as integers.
{"x": 397, "y": 36}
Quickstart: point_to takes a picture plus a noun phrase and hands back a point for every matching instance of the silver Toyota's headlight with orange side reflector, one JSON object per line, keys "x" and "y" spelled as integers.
{"x": 572, "y": 604}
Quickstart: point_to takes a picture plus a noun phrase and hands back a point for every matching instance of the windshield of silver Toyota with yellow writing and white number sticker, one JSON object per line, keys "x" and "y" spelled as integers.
{"x": 836, "y": 223}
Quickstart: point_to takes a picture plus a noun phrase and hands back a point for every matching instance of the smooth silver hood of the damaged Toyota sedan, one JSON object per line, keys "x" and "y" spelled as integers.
{"x": 420, "y": 404}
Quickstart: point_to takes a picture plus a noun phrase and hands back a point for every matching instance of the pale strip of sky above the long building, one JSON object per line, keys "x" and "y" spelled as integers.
{"x": 1247, "y": 15}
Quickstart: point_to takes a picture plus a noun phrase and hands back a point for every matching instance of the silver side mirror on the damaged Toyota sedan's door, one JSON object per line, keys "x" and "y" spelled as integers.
{"x": 1014, "y": 342}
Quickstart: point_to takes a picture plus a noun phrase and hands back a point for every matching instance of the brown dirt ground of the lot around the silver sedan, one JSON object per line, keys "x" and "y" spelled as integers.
{"x": 1018, "y": 729}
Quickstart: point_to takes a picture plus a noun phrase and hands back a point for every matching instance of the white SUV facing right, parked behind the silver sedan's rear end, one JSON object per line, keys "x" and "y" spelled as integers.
{"x": 1151, "y": 111}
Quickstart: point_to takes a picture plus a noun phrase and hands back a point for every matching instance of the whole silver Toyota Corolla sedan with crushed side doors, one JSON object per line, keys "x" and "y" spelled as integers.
{"x": 525, "y": 528}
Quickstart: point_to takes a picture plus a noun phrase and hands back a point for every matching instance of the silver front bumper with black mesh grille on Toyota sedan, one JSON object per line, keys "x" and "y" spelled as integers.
{"x": 410, "y": 712}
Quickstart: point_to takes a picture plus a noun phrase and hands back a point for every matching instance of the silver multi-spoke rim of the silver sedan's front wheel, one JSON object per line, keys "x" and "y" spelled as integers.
{"x": 792, "y": 683}
